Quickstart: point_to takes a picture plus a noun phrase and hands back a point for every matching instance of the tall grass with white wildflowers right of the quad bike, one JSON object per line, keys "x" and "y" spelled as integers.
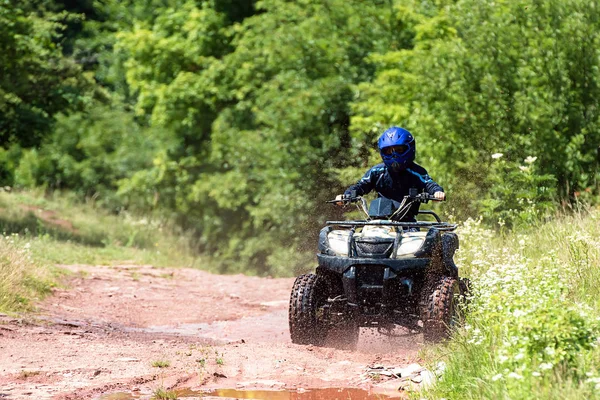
{"x": 533, "y": 324}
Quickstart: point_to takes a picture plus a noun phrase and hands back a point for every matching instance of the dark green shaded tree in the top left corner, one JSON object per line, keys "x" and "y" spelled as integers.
{"x": 36, "y": 82}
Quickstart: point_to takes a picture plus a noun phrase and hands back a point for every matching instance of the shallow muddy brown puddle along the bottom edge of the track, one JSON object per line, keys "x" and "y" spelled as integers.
{"x": 302, "y": 394}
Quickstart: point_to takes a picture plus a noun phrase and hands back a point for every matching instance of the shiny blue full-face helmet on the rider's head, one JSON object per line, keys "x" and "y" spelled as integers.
{"x": 397, "y": 148}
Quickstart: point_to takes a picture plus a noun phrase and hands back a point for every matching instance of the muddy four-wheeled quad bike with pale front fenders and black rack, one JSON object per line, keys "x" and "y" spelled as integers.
{"x": 379, "y": 273}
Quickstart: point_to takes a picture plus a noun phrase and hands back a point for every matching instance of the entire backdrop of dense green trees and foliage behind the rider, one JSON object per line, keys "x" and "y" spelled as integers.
{"x": 238, "y": 118}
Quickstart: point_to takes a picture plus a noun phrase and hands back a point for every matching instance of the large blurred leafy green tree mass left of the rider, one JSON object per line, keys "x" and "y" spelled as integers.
{"x": 260, "y": 128}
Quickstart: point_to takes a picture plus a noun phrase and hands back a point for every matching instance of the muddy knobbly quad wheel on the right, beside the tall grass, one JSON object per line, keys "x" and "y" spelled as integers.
{"x": 440, "y": 309}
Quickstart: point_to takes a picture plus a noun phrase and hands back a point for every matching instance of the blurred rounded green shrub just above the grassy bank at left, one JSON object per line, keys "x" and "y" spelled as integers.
{"x": 89, "y": 152}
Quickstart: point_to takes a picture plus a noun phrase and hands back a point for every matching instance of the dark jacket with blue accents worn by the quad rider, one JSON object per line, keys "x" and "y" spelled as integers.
{"x": 395, "y": 186}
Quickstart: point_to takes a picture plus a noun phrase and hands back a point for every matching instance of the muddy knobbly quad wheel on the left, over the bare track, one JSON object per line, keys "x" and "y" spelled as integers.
{"x": 307, "y": 326}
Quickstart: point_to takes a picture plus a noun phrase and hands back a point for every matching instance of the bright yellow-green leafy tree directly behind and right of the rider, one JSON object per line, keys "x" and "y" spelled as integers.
{"x": 487, "y": 77}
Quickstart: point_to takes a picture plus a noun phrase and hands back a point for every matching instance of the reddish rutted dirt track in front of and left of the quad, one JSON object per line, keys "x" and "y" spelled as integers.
{"x": 103, "y": 333}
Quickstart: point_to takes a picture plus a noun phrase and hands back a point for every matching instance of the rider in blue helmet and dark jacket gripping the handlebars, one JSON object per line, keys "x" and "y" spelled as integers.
{"x": 397, "y": 174}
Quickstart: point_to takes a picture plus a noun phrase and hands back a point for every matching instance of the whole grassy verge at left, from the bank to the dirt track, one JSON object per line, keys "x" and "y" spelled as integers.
{"x": 39, "y": 233}
